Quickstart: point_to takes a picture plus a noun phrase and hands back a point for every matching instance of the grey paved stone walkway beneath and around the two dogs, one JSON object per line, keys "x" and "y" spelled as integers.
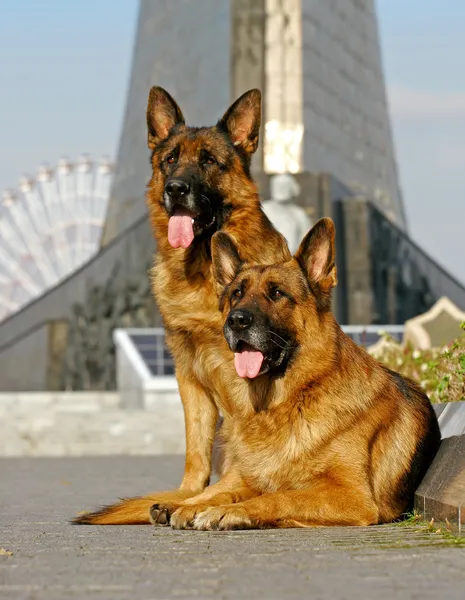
{"x": 53, "y": 560}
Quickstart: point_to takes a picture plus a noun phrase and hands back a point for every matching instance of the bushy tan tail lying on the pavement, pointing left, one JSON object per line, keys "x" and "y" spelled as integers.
{"x": 129, "y": 511}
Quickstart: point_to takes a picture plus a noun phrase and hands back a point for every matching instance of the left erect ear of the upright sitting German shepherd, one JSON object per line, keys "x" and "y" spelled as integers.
{"x": 162, "y": 115}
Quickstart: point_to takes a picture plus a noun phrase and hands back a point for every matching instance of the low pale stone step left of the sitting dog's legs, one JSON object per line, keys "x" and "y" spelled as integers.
{"x": 69, "y": 428}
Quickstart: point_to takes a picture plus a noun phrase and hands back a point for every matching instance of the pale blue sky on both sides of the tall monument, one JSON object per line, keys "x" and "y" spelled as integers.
{"x": 64, "y": 68}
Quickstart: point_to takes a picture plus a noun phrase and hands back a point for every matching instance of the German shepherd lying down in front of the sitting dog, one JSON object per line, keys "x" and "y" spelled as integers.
{"x": 322, "y": 434}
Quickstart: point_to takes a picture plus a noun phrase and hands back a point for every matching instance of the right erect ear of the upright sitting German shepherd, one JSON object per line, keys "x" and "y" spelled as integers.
{"x": 242, "y": 120}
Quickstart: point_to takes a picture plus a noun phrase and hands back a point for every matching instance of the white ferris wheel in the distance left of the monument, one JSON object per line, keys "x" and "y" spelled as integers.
{"x": 49, "y": 227}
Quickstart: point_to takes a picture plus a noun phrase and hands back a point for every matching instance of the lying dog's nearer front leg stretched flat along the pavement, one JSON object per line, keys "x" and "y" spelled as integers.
{"x": 326, "y": 503}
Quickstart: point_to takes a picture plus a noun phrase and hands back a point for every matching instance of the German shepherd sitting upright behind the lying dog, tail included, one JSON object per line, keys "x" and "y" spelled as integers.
{"x": 200, "y": 184}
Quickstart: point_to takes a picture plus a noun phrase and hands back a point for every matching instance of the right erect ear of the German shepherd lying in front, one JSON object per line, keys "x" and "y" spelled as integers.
{"x": 317, "y": 254}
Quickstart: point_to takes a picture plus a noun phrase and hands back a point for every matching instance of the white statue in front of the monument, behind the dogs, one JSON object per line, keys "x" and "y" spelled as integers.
{"x": 289, "y": 219}
